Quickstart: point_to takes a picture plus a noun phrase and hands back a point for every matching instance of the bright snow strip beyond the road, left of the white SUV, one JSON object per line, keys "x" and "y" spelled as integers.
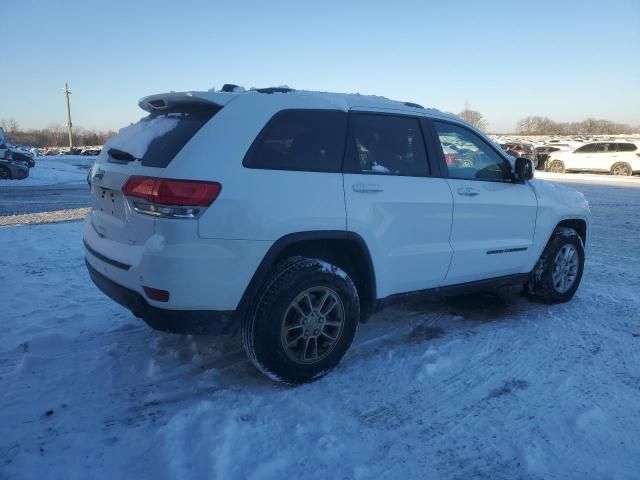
{"x": 54, "y": 170}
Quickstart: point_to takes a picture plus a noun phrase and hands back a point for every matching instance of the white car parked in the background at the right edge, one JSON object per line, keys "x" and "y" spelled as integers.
{"x": 617, "y": 158}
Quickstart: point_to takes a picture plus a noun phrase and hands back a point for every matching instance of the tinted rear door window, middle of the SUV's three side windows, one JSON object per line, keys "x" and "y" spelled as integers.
{"x": 386, "y": 145}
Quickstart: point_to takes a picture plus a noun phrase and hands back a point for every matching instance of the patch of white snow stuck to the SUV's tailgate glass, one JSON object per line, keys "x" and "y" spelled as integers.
{"x": 136, "y": 138}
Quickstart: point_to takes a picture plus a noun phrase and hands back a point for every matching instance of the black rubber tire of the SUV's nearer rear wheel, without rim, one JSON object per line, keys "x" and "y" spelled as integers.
{"x": 262, "y": 327}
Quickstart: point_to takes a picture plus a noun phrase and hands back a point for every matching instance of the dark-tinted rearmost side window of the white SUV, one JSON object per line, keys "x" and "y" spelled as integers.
{"x": 306, "y": 140}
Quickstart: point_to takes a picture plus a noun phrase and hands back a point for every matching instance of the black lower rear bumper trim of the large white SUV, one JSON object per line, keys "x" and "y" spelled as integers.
{"x": 194, "y": 322}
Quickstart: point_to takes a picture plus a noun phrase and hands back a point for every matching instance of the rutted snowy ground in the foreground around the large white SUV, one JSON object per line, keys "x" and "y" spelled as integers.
{"x": 475, "y": 387}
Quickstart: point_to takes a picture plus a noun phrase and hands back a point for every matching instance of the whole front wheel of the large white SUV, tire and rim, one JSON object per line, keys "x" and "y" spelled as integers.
{"x": 557, "y": 274}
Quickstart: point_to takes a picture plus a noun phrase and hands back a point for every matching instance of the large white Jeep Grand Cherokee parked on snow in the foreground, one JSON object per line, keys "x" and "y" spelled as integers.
{"x": 292, "y": 216}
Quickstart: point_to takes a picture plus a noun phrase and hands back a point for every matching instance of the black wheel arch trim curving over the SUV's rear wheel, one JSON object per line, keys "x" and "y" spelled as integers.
{"x": 344, "y": 249}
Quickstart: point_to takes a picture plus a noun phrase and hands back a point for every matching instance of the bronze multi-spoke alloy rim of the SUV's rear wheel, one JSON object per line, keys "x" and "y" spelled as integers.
{"x": 312, "y": 325}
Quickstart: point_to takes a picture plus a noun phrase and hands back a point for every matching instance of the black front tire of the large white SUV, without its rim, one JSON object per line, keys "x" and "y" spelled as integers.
{"x": 541, "y": 286}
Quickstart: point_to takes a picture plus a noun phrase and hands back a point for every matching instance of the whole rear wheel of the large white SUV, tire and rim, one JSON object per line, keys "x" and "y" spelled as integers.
{"x": 303, "y": 321}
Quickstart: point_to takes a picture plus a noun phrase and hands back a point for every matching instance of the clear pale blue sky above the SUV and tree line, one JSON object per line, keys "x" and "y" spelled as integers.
{"x": 566, "y": 60}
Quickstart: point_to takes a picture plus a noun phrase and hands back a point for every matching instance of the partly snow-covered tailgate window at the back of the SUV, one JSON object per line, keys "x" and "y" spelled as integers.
{"x": 158, "y": 137}
